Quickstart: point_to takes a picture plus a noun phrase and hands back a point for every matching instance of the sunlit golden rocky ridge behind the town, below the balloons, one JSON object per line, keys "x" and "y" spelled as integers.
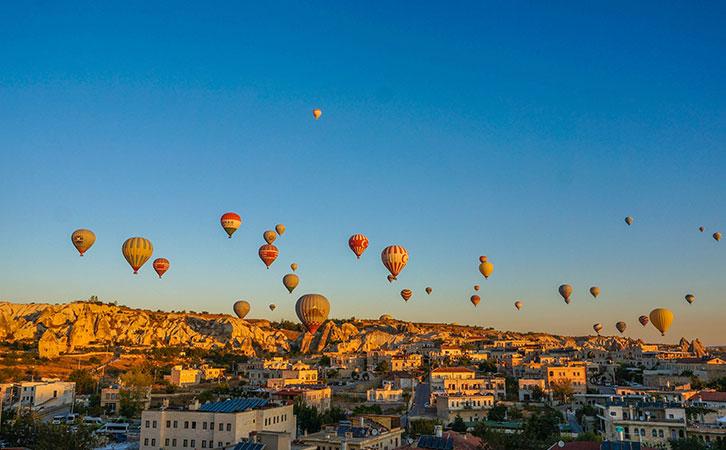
{"x": 65, "y": 328}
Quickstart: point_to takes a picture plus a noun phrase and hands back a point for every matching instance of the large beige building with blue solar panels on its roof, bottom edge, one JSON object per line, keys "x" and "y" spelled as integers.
{"x": 213, "y": 425}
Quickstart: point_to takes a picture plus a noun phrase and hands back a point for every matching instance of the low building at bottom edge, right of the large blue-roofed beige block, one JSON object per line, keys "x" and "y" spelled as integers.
{"x": 365, "y": 434}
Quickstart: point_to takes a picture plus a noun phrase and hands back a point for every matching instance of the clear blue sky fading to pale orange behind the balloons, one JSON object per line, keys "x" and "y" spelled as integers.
{"x": 525, "y": 131}
